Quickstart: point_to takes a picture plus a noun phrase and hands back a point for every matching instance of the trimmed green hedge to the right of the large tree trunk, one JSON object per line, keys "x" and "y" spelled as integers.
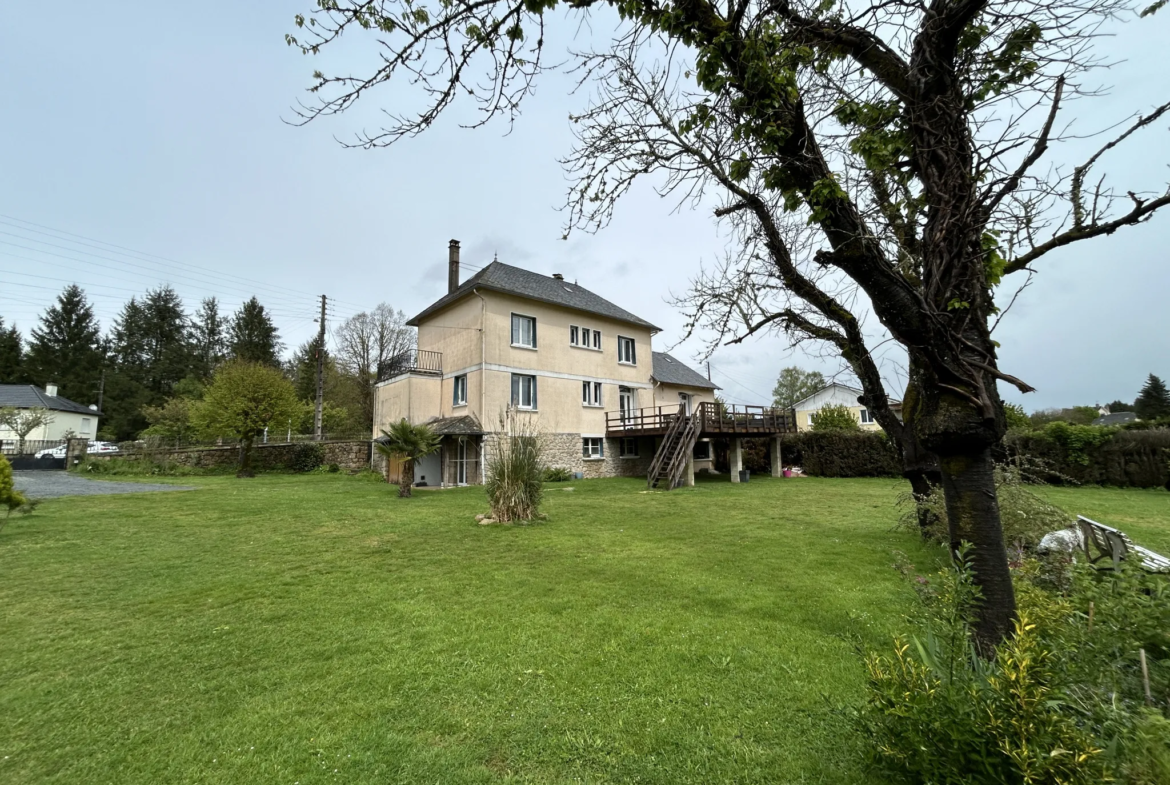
{"x": 1128, "y": 459}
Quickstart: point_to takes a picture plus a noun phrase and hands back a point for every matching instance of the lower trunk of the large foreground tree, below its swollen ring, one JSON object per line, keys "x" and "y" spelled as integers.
{"x": 974, "y": 515}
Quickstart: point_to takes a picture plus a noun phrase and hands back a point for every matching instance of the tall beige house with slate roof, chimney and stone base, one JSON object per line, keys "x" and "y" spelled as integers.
{"x": 549, "y": 355}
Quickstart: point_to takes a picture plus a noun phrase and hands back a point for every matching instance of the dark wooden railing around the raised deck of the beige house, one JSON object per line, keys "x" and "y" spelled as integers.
{"x": 711, "y": 421}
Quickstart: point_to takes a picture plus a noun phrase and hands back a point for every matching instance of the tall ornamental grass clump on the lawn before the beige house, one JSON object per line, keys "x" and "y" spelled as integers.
{"x": 515, "y": 473}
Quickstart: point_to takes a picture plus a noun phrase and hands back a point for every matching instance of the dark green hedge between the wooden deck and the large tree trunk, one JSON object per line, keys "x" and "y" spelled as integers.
{"x": 829, "y": 455}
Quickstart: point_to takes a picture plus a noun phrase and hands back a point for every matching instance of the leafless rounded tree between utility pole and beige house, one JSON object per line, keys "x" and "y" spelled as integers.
{"x": 366, "y": 346}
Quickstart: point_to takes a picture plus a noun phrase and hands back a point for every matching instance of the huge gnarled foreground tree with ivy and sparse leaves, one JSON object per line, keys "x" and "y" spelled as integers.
{"x": 892, "y": 159}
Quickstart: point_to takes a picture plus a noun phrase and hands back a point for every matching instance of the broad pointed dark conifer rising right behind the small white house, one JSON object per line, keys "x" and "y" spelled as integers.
{"x": 66, "y": 349}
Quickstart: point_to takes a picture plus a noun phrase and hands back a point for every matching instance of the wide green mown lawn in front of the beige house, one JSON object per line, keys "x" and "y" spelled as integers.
{"x": 319, "y": 630}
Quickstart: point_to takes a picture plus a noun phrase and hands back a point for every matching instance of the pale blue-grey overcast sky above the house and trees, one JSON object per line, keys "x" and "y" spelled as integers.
{"x": 157, "y": 128}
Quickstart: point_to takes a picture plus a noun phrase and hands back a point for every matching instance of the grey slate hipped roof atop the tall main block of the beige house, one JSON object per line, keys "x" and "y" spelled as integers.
{"x": 512, "y": 280}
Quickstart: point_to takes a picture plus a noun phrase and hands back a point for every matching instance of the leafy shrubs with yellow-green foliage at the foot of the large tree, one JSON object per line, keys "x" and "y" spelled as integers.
{"x": 1063, "y": 701}
